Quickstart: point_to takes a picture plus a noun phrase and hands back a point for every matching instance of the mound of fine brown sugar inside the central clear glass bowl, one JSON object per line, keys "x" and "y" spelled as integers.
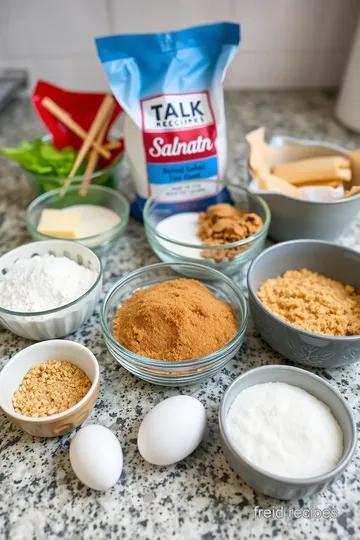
{"x": 174, "y": 320}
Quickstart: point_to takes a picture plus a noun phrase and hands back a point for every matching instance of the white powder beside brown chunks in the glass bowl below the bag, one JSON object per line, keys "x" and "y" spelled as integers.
{"x": 181, "y": 227}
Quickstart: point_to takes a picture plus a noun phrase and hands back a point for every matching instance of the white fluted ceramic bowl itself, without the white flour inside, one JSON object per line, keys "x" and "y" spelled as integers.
{"x": 57, "y": 322}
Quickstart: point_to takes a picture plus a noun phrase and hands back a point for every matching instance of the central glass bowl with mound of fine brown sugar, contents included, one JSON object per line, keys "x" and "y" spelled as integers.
{"x": 174, "y": 331}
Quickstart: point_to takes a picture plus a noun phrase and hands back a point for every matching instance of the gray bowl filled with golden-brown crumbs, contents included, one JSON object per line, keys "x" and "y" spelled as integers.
{"x": 304, "y": 297}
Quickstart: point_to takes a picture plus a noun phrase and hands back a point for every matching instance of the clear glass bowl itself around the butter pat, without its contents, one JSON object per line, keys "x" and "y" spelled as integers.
{"x": 102, "y": 243}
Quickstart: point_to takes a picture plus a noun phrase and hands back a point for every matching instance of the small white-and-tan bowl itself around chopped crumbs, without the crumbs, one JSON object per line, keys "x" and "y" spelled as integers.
{"x": 15, "y": 370}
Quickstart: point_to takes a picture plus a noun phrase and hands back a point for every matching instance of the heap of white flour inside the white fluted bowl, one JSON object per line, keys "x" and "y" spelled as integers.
{"x": 44, "y": 282}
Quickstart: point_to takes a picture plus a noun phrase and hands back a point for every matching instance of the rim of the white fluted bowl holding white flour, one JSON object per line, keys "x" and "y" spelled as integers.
{"x": 65, "y": 306}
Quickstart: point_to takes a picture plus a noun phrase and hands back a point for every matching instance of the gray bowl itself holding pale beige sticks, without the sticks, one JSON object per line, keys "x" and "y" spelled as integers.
{"x": 295, "y": 218}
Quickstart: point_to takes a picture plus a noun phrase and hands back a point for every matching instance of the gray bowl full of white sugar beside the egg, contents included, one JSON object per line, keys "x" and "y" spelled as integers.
{"x": 286, "y": 432}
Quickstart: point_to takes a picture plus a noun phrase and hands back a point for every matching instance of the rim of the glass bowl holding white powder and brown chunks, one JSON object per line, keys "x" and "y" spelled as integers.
{"x": 263, "y": 231}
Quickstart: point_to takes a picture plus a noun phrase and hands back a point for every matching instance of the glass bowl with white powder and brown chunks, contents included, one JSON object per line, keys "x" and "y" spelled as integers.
{"x": 224, "y": 231}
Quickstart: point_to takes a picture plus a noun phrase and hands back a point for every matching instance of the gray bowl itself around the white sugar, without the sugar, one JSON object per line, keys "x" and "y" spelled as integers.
{"x": 274, "y": 485}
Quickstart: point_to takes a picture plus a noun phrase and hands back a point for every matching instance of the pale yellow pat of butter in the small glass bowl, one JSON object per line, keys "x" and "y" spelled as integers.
{"x": 59, "y": 223}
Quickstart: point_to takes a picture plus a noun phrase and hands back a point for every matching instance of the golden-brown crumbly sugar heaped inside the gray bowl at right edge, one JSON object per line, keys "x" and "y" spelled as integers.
{"x": 313, "y": 302}
